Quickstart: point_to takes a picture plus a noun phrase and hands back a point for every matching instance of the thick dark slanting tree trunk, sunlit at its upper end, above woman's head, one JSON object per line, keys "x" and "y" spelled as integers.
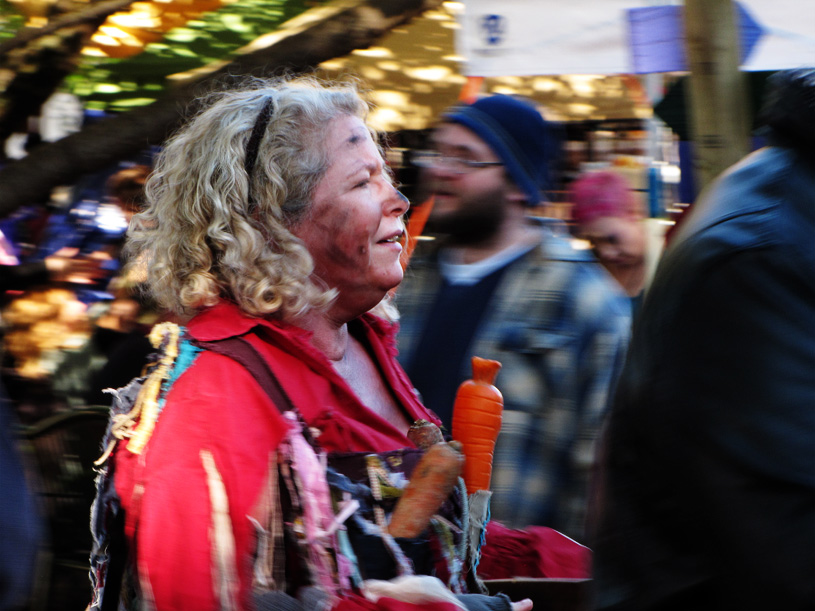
{"x": 323, "y": 33}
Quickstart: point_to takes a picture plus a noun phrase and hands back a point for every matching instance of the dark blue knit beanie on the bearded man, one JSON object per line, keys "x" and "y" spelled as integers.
{"x": 518, "y": 134}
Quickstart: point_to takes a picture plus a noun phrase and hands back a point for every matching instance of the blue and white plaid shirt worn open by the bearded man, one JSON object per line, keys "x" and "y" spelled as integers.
{"x": 560, "y": 326}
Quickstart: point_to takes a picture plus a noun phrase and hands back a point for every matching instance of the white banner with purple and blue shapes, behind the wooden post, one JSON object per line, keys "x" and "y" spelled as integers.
{"x": 530, "y": 37}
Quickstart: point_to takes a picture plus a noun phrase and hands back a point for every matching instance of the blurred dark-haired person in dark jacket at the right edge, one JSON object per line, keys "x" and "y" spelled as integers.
{"x": 706, "y": 498}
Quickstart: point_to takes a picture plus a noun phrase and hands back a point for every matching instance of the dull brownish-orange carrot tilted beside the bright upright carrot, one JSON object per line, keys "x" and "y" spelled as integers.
{"x": 430, "y": 484}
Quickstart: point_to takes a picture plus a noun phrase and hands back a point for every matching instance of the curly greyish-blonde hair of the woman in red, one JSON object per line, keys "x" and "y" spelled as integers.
{"x": 213, "y": 228}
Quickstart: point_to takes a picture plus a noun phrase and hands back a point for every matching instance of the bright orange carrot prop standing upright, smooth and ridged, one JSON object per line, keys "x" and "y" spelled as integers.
{"x": 477, "y": 421}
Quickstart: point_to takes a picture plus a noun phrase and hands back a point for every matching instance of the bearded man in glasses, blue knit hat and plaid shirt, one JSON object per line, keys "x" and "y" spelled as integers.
{"x": 502, "y": 285}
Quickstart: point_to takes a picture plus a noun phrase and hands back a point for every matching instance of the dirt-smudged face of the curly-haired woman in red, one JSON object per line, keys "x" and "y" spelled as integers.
{"x": 355, "y": 223}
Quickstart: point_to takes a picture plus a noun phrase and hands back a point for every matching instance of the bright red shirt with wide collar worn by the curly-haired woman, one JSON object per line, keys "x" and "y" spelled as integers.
{"x": 217, "y": 406}
